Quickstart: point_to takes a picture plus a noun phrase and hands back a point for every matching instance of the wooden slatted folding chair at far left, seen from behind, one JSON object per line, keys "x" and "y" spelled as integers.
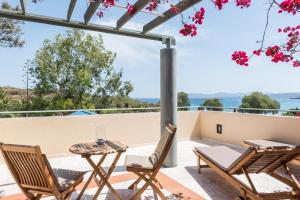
{"x": 34, "y": 175}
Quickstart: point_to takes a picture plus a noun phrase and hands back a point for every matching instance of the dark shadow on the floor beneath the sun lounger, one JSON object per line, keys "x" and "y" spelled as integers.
{"x": 213, "y": 184}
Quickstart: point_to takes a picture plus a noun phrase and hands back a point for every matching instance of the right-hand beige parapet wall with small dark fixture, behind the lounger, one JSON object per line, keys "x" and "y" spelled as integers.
{"x": 238, "y": 127}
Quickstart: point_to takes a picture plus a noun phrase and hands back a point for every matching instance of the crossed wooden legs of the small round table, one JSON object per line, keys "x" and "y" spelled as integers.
{"x": 105, "y": 176}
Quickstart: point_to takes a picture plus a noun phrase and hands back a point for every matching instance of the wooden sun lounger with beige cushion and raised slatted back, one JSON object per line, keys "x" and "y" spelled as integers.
{"x": 227, "y": 163}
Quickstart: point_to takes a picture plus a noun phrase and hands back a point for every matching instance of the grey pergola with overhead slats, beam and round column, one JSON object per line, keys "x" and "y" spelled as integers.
{"x": 168, "y": 92}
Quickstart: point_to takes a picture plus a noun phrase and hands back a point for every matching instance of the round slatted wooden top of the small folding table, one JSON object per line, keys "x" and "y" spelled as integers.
{"x": 92, "y": 148}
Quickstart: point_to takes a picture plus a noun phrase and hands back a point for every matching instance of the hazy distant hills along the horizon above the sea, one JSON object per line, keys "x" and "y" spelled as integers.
{"x": 240, "y": 95}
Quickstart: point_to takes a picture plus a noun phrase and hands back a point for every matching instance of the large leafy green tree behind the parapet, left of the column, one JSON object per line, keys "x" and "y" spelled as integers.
{"x": 75, "y": 71}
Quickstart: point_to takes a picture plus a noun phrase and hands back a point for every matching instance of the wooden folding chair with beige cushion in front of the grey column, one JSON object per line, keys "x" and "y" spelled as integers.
{"x": 146, "y": 168}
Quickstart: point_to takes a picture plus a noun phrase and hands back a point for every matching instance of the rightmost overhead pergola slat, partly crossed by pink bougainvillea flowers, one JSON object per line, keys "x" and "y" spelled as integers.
{"x": 181, "y": 6}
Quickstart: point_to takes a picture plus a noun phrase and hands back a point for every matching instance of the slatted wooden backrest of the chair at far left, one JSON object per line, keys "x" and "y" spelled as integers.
{"x": 29, "y": 167}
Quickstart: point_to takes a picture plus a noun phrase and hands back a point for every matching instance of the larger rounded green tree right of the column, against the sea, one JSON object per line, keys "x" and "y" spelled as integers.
{"x": 260, "y": 101}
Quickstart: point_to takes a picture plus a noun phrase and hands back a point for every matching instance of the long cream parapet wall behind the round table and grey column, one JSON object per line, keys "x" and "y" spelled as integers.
{"x": 56, "y": 134}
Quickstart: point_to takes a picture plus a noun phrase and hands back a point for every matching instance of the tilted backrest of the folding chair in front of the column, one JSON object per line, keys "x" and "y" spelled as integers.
{"x": 163, "y": 147}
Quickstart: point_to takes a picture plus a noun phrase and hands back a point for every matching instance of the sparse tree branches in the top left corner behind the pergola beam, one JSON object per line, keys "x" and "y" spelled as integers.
{"x": 10, "y": 30}
